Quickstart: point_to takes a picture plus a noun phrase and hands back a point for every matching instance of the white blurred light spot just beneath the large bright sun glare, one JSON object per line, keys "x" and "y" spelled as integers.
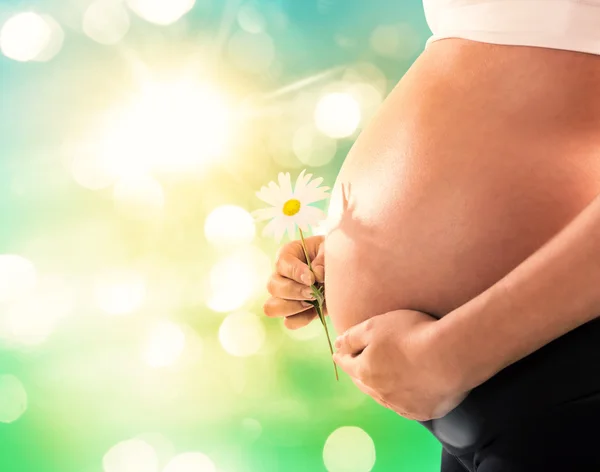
{"x": 140, "y": 196}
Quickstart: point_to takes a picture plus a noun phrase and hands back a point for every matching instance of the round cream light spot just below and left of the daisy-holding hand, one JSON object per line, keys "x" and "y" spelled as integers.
{"x": 242, "y": 334}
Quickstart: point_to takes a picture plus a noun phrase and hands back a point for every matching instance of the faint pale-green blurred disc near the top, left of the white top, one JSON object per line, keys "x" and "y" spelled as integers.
{"x": 251, "y": 52}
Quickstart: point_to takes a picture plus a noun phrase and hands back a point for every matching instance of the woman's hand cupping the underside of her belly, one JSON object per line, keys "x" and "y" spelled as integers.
{"x": 393, "y": 358}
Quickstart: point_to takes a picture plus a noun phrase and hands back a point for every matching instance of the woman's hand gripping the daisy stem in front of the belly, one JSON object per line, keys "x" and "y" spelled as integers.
{"x": 289, "y": 285}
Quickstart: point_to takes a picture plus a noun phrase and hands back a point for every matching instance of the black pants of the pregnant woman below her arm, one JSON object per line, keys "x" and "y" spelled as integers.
{"x": 541, "y": 413}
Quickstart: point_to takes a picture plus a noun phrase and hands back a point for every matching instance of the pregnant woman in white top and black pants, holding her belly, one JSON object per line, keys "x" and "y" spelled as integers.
{"x": 463, "y": 257}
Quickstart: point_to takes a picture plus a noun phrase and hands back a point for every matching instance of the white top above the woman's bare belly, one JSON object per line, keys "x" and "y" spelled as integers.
{"x": 573, "y": 25}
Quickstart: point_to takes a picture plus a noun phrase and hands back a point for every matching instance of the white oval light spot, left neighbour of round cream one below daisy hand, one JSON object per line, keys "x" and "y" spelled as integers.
{"x": 165, "y": 345}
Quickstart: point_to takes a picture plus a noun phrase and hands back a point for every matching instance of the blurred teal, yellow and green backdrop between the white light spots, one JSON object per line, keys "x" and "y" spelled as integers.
{"x": 86, "y": 388}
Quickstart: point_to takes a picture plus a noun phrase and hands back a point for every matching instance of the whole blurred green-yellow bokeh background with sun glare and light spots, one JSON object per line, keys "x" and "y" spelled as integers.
{"x": 133, "y": 137}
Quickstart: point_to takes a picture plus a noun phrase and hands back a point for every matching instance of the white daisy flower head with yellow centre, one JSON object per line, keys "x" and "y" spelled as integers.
{"x": 291, "y": 207}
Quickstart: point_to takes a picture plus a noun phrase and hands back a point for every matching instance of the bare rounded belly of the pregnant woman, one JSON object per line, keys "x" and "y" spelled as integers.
{"x": 478, "y": 157}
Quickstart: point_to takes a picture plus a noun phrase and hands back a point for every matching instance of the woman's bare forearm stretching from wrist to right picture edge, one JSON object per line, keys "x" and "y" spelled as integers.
{"x": 552, "y": 292}
